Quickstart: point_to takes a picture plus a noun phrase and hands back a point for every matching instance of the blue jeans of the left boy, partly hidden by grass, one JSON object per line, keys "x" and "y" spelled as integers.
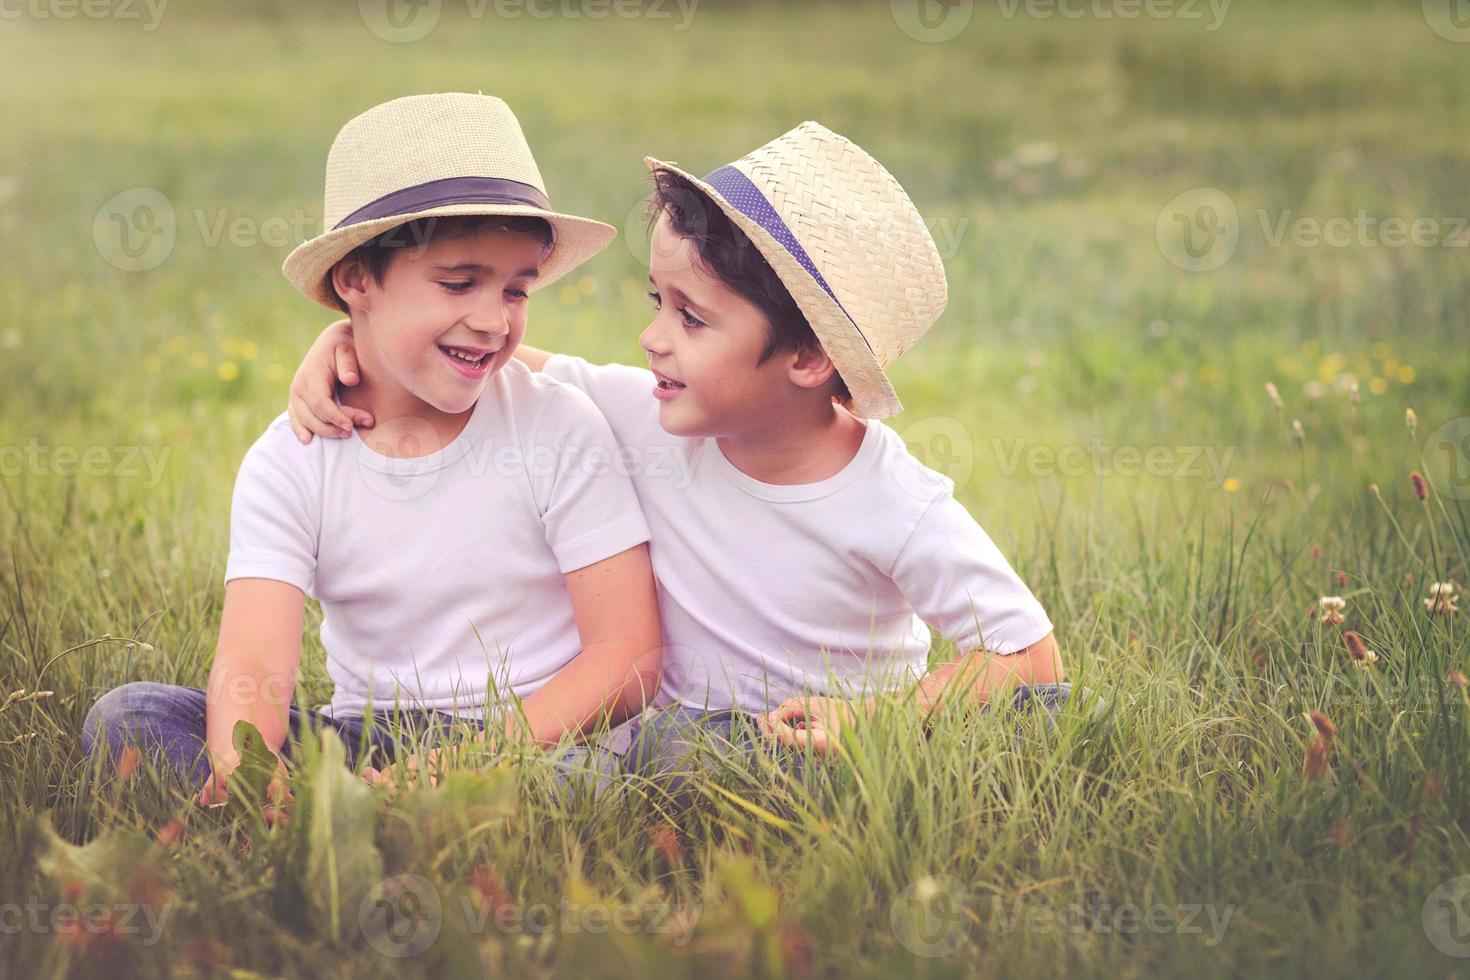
{"x": 167, "y": 722}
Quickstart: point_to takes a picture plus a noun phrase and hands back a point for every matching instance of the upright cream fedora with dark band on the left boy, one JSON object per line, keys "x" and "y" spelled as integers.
{"x": 431, "y": 156}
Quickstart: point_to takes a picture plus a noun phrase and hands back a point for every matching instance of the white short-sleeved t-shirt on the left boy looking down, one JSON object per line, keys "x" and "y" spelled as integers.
{"x": 442, "y": 577}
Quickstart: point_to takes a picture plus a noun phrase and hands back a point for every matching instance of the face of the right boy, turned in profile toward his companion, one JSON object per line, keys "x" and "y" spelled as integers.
{"x": 708, "y": 339}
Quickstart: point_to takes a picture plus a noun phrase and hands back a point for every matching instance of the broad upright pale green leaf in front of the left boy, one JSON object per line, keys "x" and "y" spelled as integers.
{"x": 343, "y": 863}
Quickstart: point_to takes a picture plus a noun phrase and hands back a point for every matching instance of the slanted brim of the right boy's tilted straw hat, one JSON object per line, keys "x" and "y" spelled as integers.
{"x": 874, "y": 396}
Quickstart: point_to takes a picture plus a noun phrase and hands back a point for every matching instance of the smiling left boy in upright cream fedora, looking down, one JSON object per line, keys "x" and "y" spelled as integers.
{"x": 474, "y": 537}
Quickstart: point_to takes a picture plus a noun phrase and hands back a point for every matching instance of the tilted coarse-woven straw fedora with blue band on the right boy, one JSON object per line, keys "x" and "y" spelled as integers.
{"x": 846, "y": 242}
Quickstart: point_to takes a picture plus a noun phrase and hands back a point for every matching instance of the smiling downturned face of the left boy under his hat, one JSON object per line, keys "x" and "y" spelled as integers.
{"x": 446, "y": 317}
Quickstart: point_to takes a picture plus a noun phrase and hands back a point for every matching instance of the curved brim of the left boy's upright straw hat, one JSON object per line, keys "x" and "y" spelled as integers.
{"x": 577, "y": 240}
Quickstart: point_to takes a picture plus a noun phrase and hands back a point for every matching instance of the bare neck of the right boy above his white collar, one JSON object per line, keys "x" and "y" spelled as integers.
{"x": 805, "y": 447}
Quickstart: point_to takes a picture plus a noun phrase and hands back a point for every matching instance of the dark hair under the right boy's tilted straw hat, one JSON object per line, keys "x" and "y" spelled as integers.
{"x": 734, "y": 259}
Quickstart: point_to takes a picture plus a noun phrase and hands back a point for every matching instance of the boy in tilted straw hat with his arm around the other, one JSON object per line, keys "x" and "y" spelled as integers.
{"x": 802, "y": 552}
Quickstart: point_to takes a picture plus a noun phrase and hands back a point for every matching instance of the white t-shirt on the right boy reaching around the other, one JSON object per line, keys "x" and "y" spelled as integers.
{"x": 772, "y": 591}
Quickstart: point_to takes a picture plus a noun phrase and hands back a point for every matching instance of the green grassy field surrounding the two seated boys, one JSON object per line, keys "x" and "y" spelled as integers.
{"x": 1144, "y": 223}
